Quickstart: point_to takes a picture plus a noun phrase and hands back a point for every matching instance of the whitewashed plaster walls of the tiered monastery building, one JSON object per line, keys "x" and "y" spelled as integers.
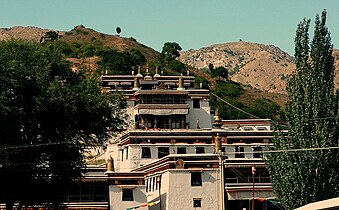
{"x": 162, "y": 179}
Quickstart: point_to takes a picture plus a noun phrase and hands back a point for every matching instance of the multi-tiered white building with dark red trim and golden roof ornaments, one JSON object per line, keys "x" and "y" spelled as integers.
{"x": 176, "y": 154}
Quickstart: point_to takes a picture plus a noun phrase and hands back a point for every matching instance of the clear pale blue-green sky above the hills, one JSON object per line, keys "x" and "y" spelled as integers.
{"x": 192, "y": 24}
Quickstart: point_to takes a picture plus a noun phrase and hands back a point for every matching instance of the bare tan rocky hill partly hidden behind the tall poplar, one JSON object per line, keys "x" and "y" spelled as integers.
{"x": 264, "y": 67}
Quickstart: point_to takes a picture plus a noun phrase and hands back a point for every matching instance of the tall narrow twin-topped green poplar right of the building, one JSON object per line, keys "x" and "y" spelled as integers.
{"x": 306, "y": 176}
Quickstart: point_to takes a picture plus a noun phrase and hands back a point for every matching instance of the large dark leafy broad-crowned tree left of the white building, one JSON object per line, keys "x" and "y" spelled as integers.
{"x": 48, "y": 117}
